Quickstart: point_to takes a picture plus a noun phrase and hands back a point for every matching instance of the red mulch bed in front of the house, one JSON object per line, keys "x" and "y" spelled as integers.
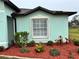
{"x": 64, "y": 52}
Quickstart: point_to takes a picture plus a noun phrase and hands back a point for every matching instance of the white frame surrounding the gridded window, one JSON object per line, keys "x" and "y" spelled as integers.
{"x": 39, "y": 37}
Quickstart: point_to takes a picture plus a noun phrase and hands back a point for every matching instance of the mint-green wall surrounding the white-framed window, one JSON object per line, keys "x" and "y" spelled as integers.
{"x": 58, "y": 25}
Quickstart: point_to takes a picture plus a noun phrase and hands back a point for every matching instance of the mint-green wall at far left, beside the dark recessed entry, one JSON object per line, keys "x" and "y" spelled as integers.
{"x": 4, "y": 11}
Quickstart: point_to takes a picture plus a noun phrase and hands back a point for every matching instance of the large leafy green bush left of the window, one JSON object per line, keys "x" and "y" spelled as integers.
{"x": 21, "y": 38}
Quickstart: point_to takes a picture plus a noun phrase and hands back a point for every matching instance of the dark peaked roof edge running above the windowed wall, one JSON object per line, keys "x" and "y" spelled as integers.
{"x": 46, "y": 10}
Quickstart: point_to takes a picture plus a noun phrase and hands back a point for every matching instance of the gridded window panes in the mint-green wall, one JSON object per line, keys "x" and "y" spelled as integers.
{"x": 39, "y": 27}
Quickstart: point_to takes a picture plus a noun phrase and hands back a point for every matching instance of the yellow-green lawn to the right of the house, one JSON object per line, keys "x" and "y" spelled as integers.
{"x": 74, "y": 33}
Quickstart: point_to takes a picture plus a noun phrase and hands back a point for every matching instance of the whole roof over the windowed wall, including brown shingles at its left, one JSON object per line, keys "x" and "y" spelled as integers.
{"x": 29, "y": 11}
